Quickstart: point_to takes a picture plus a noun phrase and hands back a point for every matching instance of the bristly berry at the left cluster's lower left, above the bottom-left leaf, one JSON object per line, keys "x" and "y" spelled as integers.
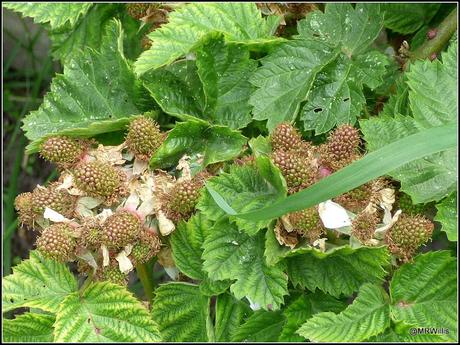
{"x": 56, "y": 242}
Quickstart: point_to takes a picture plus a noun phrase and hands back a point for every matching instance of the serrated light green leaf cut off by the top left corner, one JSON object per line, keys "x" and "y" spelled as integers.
{"x": 56, "y": 14}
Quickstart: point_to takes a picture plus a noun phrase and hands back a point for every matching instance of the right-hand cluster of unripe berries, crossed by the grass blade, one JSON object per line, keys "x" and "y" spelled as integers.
{"x": 302, "y": 164}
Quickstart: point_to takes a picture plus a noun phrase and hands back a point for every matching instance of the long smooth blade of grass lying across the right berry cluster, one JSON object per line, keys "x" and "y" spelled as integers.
{"x": 372, "y": 166}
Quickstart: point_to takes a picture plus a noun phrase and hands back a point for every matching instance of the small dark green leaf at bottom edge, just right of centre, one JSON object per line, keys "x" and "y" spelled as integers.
{"x": 262, "y": 326}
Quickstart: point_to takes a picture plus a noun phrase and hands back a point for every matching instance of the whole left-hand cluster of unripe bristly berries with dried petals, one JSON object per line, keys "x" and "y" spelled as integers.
{"x": 95, "y": 240}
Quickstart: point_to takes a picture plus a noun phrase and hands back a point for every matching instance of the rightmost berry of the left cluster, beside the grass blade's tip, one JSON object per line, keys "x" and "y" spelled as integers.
{"x": 182, "y": 199}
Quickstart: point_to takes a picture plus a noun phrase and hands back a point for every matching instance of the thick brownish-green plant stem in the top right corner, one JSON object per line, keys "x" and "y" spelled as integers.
{"x": 445, "y": 30}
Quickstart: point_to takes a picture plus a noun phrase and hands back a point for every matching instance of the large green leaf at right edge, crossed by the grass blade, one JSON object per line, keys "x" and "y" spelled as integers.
{"x": 433, "y": 100}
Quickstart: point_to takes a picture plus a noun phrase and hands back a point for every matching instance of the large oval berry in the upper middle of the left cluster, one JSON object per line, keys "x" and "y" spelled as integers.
{"x": 98, "y": 179}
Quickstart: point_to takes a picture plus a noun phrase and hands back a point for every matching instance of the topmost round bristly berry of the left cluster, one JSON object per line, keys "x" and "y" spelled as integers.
{"x": 144, "y": 137}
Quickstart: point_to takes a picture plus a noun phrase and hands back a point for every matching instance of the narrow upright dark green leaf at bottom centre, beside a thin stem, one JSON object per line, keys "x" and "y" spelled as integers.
{"x": 230, "y": 314}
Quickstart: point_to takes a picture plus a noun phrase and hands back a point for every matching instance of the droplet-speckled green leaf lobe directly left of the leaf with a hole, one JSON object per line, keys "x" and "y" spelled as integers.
{"x": 285, "y": 78}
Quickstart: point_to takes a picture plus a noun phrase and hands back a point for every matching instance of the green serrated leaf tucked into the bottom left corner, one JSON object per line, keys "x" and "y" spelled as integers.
{"x": 29, "y": 328}
